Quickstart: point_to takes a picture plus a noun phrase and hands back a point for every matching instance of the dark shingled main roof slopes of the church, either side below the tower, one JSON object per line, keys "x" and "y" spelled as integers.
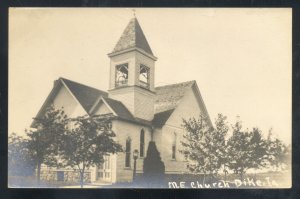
{"x": 166, "y": 99}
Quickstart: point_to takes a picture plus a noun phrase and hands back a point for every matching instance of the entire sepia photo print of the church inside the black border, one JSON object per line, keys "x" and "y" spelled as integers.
{"x": 173, "y": 98}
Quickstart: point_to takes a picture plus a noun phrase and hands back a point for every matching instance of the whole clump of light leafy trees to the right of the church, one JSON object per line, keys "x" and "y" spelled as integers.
{"x": 206, "y": 149}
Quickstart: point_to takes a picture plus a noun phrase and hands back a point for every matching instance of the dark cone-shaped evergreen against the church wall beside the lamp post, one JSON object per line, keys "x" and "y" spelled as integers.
{"x": 153, "y": 167}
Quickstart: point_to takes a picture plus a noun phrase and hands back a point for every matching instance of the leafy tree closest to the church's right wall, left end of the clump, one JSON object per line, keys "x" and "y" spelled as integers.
{"x": 204, "y": 146}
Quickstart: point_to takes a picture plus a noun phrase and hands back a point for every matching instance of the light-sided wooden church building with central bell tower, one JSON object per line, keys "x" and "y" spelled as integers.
{"x": 143, "y": 112}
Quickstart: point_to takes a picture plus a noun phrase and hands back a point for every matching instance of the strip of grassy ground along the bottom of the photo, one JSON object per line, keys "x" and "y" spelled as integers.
{"x": 268, "y": 180}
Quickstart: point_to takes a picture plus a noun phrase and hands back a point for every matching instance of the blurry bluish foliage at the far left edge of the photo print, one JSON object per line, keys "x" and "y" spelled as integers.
{"x": 19, "y": 160}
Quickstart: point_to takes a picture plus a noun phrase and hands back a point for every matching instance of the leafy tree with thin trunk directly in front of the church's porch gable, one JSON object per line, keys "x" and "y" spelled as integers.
{"x": 85, "y": 144}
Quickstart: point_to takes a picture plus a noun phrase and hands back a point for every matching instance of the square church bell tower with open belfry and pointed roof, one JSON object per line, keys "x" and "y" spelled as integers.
{"x": 132, "y": 67}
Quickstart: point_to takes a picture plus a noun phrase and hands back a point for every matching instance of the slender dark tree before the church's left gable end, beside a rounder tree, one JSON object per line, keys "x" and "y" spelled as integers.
{"x": 42, "y": 141}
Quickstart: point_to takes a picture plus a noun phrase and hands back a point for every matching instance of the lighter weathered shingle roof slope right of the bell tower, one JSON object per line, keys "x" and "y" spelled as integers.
{"x": 168, "y": 97}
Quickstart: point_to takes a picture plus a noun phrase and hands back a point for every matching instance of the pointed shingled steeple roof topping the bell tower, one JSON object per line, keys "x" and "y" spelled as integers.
{"x": 133, "y": 37}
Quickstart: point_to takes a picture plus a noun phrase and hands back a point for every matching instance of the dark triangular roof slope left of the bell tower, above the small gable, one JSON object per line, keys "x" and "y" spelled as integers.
{"x": 85, "y": 95}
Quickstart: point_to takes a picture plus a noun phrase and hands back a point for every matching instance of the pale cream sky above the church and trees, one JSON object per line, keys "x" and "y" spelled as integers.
{"x": 240, "y": 58}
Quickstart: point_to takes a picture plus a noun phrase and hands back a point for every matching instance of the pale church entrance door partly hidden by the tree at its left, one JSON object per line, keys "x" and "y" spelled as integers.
{"x": 104, "y": 170}
